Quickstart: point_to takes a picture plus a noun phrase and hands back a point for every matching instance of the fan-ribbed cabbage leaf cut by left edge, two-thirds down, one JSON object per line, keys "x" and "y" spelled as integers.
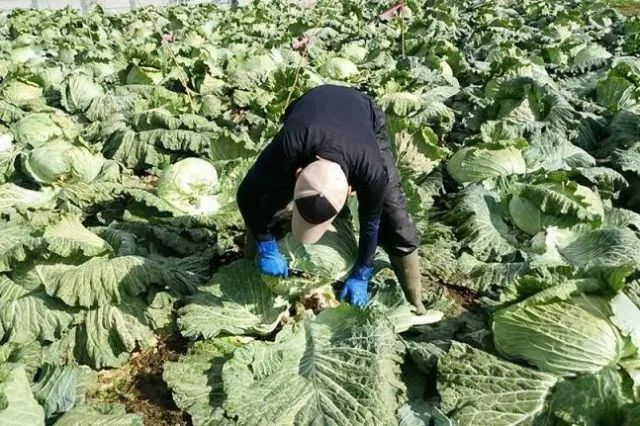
{"x": 28, "y": 316}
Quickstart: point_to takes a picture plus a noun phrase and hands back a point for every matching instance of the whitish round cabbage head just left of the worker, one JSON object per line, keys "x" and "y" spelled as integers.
{"x": 190, "y": 186}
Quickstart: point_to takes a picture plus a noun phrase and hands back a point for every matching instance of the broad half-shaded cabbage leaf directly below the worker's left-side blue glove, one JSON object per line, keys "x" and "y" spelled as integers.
{"x": 236, "y": 301}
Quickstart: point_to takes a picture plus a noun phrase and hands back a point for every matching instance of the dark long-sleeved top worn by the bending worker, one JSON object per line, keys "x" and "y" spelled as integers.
{"x": 332, "y": 122}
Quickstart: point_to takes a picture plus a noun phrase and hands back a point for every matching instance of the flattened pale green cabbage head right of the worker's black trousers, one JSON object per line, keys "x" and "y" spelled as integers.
{"x": 474, "y": 164}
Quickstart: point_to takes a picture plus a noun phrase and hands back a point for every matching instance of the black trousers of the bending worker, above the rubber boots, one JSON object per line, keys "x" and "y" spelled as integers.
{"x": 397, "y": 234}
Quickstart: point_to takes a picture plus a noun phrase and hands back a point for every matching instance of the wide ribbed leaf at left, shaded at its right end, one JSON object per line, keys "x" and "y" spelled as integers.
{"x": 100, "y": 281}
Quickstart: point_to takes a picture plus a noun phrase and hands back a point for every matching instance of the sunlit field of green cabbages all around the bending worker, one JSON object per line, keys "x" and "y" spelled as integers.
{"x": 124, "y": 298}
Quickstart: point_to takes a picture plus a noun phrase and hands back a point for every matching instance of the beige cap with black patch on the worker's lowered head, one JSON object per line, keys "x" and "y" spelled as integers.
{"x": 320, "y": 193}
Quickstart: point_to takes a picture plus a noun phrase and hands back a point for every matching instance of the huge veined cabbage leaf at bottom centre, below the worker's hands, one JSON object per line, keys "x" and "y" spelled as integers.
{"x": 340, "y": 368}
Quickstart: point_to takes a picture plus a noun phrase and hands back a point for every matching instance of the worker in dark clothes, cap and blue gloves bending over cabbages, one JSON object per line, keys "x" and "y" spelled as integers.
{"x": 332, "y": 141}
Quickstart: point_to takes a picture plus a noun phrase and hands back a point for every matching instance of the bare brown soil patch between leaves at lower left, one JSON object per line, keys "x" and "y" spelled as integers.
{"x": 139, "y": 385}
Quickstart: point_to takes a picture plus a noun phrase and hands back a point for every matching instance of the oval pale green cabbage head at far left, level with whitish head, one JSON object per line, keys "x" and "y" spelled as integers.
{"x": 59, "y": 161}
